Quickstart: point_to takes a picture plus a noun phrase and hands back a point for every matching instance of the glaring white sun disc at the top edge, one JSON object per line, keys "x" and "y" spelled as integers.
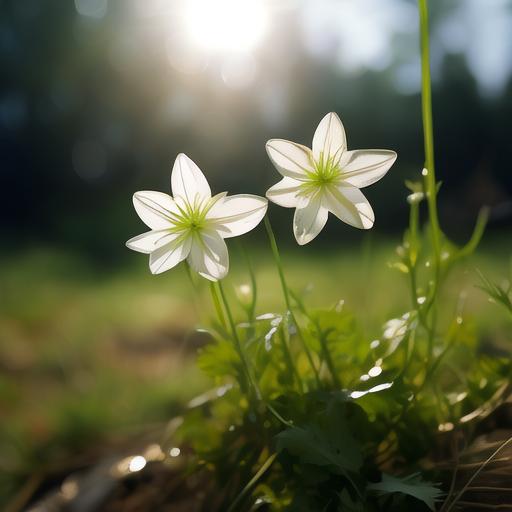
{"x": 226, "y": 25}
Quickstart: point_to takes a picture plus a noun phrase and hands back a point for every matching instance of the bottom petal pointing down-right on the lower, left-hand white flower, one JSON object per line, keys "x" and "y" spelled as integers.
{"x": 209, "y": 256}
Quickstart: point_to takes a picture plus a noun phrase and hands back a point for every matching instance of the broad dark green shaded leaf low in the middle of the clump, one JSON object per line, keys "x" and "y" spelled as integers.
{"x": 324, "y": 443}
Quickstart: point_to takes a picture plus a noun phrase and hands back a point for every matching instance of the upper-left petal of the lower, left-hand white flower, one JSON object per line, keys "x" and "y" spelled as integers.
{"x": 156, "y": 209}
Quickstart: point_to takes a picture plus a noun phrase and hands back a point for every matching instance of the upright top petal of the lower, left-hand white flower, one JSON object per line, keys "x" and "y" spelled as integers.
{"x": 187, "y": 180}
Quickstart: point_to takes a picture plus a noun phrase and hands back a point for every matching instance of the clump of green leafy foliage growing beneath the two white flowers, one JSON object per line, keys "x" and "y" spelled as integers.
{"x": 377, "y": 409}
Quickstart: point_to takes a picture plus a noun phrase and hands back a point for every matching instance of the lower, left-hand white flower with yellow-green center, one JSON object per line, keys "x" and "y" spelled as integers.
{"x": 193, "y": 224}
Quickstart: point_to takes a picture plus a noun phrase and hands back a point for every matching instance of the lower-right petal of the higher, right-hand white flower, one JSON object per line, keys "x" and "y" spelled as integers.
{"x": 350, "y": 206}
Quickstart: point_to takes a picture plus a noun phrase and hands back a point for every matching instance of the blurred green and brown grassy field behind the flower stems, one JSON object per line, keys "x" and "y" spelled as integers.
{"x": 88, "y": 354}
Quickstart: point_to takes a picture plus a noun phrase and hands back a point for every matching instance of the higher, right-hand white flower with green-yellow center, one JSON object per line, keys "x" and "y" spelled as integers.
{"x": 326, "y": 179}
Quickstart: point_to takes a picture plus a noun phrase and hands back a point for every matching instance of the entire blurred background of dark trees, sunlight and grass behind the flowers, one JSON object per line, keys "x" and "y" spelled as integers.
{"x": 97, "y": 97}
